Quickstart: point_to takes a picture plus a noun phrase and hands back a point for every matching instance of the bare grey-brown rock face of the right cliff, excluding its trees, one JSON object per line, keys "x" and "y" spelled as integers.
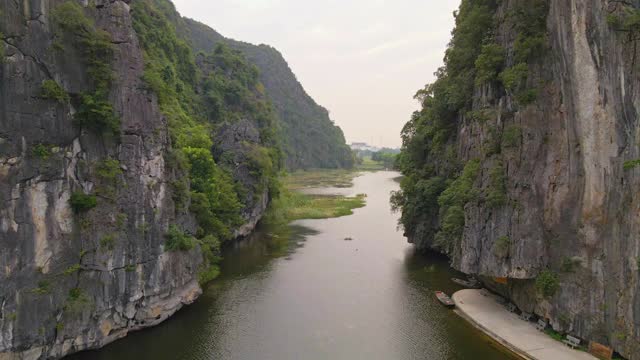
{"x": 572, "y": 207}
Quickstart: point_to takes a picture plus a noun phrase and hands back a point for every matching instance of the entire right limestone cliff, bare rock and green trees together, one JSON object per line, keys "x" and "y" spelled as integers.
{"x": 548, "y": 141}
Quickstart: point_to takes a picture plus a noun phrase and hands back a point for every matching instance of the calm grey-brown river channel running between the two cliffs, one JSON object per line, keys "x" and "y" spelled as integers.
{"x": 304, "y": 292}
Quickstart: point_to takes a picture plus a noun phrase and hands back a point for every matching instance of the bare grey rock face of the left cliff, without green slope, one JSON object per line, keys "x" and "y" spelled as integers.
{"x": 74, "y": 280}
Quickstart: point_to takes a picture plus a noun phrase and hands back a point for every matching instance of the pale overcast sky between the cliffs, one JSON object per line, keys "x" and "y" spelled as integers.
{"x": 361, "y": 59}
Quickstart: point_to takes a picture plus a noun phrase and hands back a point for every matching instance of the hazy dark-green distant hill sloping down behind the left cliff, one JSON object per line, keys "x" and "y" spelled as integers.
{"x": 311, "y": 139}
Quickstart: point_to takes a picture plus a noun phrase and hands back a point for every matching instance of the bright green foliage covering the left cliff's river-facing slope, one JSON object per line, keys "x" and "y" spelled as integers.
{"x": 199, "y": 94}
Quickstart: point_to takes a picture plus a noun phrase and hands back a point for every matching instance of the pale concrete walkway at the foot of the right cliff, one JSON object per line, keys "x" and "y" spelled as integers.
{"x": 505, "y": 327}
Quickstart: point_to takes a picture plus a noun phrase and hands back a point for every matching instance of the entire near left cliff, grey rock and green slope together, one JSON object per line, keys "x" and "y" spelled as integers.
{"x": 126, "y": 159}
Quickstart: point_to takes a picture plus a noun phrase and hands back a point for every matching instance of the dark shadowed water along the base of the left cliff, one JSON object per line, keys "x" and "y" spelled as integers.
{"x": 190, "y": 333}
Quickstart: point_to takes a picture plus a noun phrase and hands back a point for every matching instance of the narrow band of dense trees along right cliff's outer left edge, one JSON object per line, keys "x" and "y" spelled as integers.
{"x": 434, "y": 185}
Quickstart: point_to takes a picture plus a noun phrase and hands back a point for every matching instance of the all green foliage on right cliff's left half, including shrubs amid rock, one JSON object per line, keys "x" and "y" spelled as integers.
{"x": 438, "y": 184}
